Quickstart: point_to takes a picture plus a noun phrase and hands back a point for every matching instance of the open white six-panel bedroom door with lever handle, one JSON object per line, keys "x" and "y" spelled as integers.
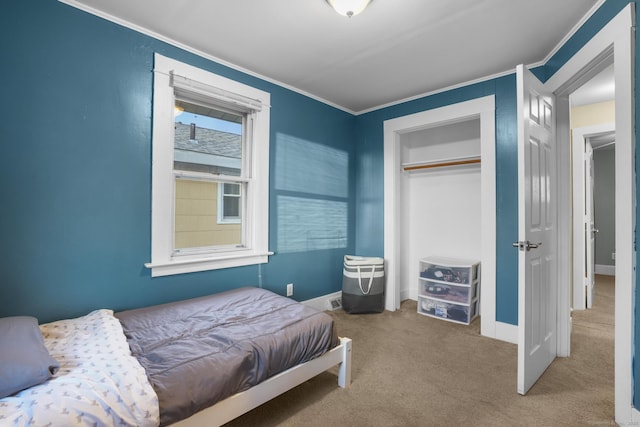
{"x": 537, "y": 228}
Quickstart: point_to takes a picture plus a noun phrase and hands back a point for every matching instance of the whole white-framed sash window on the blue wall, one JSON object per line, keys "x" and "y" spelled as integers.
{"x": 210, "y": 171}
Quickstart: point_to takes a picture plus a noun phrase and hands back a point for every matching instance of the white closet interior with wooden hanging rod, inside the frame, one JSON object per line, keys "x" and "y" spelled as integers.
{"x": 440, "y": 194}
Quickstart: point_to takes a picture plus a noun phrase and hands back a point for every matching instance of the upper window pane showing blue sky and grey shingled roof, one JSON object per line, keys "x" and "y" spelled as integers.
{"x": 207, "y": 139}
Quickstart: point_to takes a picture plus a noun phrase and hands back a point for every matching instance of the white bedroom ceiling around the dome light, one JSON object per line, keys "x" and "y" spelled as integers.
{"x": 393, "y": 51}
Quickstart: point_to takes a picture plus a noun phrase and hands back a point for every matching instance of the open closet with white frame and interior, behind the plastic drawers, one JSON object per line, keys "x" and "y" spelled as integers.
{"x": 440, "y": 199}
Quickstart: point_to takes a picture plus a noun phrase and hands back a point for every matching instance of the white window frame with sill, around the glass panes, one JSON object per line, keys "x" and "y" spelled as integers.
{"x": 164, "y": 261}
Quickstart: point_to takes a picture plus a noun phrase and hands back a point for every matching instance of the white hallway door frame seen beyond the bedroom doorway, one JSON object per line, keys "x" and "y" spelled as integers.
{"x": 579, "y": 137}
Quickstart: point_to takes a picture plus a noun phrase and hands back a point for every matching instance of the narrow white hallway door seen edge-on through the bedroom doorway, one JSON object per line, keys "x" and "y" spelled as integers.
{"x": 589, "y": 224}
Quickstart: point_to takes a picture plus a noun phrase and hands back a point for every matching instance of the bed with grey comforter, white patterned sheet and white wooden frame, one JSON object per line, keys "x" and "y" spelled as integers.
{"x": 199, "y": 362}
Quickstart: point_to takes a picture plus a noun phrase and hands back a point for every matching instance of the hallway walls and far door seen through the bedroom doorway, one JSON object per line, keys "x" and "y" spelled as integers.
{"x": 593, "y": 137}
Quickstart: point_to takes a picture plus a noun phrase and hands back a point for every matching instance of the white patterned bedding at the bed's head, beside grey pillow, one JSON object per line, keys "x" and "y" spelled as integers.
{"x": 98, "y": 383}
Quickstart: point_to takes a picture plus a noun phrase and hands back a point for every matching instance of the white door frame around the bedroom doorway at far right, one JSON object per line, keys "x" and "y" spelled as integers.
{"x": 615, "y": 38}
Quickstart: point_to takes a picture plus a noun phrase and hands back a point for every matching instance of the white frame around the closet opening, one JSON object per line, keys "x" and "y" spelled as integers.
{"x": 483, "y": 108}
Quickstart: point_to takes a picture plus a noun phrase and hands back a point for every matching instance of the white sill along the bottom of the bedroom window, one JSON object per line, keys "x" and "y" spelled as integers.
{"x": 191, "y": 265}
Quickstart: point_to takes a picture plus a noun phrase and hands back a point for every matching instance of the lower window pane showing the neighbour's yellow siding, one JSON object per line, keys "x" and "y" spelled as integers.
{"x": 196, "y": 216}
